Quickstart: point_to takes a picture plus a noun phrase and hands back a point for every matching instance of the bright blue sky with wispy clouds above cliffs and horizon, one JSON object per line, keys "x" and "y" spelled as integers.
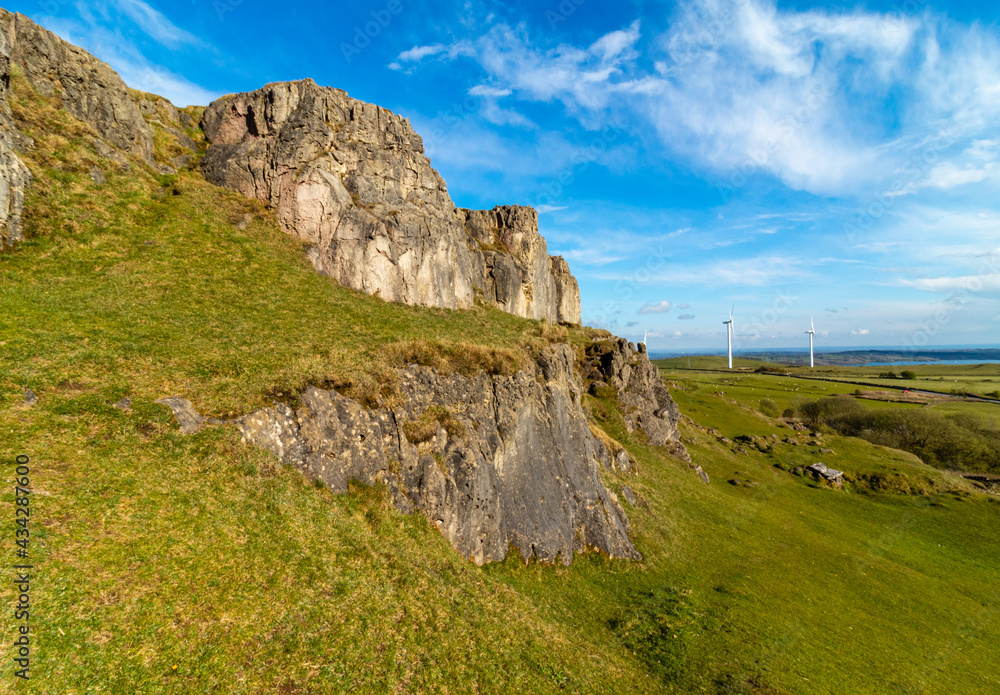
{"x": 795, "y": 160}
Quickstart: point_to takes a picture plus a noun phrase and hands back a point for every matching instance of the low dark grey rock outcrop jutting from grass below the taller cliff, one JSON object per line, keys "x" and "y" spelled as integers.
{"x": 492, "y": 461}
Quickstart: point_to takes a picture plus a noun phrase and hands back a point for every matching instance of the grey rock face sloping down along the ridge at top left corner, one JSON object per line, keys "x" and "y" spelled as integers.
{"x": 88, "y": 88}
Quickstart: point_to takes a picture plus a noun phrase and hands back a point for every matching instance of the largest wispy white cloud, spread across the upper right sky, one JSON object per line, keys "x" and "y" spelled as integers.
{"x": 741, "y": 87}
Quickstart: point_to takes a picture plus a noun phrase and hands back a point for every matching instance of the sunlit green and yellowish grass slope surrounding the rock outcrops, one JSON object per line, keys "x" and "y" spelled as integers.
{"x": 173, "y": 564}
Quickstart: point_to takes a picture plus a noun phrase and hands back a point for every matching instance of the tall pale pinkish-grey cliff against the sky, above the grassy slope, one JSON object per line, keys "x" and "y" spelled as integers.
{"x": 352, "y": 180}
